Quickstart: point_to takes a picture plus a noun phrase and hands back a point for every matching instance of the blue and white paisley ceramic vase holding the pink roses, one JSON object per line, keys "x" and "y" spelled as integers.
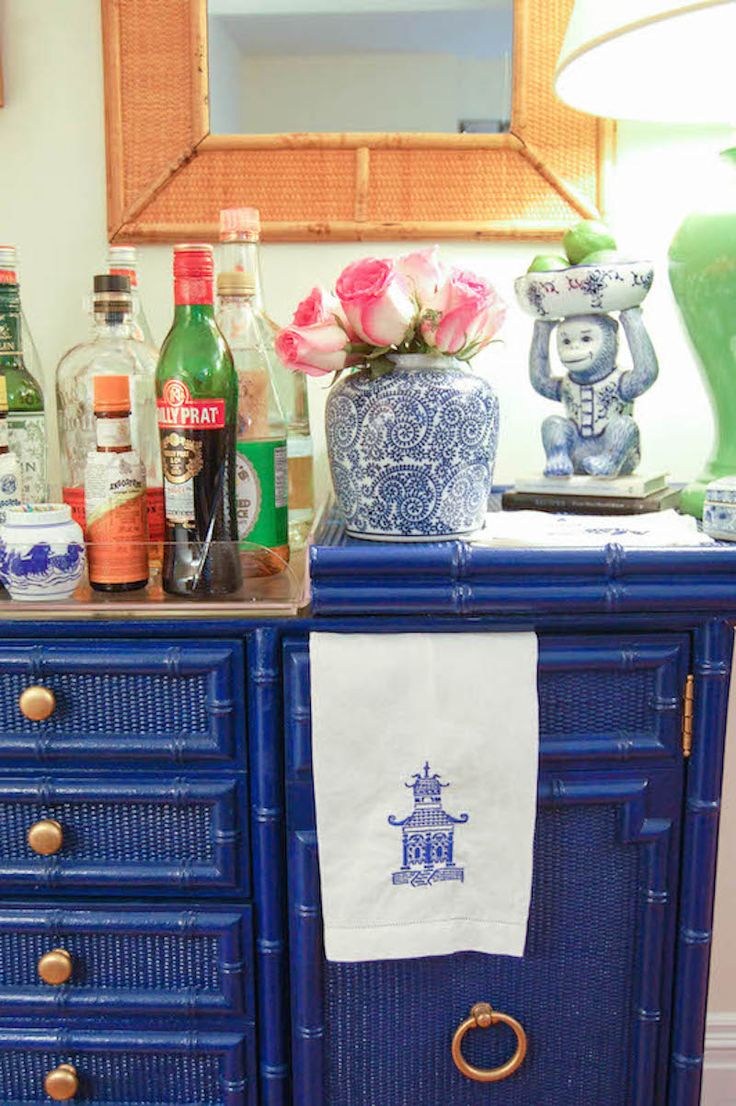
{"x": 412, "y": 451}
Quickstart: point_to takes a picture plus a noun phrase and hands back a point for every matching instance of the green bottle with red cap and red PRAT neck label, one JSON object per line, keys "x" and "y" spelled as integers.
{"x": 198, "y": 402}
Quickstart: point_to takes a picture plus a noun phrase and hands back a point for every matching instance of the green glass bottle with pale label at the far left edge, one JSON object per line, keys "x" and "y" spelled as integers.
{"x": 26, "y": 415}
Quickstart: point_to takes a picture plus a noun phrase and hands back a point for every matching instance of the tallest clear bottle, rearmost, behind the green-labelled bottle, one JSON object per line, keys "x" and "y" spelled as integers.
{"x": 240, "y": 251}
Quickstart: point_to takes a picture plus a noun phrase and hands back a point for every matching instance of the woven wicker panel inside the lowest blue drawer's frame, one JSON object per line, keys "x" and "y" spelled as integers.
{"x": 133, "y": 1079}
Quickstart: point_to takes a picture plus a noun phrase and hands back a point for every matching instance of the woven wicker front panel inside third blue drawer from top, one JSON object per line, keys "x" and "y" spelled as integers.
{"x": 120, "y": 962}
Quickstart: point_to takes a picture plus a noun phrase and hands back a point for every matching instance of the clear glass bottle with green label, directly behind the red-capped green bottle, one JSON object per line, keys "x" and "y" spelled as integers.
{"x": 263, "y": 477}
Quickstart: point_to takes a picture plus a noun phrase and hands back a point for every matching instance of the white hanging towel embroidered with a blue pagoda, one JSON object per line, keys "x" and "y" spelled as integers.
{"x": 426, "y": 750}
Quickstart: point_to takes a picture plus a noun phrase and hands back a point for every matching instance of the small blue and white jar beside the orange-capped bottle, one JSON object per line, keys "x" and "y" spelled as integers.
{"x": 42, "y": 552}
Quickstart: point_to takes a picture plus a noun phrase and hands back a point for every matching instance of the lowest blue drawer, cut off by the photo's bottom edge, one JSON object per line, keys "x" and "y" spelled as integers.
{"x": 131, "y": 1069}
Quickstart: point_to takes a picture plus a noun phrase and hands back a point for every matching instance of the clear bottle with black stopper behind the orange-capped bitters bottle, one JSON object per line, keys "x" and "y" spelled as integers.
{"x": 112, "y": 351}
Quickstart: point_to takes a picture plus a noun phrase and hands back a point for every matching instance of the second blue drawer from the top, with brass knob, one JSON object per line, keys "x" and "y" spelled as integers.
{"x": 148, "y": 836}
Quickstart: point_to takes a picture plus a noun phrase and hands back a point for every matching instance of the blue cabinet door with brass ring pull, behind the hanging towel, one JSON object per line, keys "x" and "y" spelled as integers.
{"x": 594, "y": 990}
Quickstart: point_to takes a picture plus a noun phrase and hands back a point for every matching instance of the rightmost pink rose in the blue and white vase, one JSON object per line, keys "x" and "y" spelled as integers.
{"x": 470, "y": 314}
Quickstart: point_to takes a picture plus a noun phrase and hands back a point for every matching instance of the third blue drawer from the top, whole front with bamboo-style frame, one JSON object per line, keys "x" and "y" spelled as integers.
{"x": 128, "y": 962}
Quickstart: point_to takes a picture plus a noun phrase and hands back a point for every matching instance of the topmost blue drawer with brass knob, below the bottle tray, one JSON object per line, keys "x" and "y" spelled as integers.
{"x": 153, "y": 702}
